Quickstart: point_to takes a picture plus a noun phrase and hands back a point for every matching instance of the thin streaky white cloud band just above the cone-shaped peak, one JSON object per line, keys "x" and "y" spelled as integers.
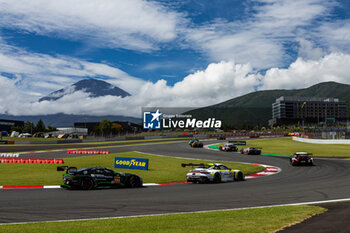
{"x": 41, "y": 73}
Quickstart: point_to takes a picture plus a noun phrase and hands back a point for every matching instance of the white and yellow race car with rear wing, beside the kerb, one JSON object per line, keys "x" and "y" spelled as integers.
{"x": 213, "y": 172}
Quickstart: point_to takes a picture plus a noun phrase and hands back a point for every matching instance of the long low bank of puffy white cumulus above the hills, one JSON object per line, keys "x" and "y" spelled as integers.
{"x": 218, "y": 82}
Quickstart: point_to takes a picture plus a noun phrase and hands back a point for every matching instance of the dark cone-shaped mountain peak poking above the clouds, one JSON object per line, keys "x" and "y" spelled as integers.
{"x": 95, "y": 87}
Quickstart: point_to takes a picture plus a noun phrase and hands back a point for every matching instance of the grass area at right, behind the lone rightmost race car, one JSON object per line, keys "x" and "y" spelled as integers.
{"x": 285, "y": 146}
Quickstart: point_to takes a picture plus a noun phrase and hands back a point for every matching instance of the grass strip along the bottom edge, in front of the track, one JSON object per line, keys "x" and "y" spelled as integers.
{"x": 250, "y": 220}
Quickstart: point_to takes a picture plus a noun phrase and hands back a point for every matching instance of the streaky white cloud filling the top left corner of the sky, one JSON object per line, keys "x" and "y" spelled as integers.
{"x": 107, "y": 23}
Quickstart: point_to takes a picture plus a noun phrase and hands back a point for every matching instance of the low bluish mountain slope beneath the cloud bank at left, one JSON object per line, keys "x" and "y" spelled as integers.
{"x": 66, "y": 120}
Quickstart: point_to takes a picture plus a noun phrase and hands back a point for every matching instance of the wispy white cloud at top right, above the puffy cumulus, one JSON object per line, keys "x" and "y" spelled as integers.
{"x": 259, "y": 39}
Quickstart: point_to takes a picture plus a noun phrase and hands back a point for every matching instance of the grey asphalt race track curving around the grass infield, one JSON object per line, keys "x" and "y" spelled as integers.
{"x": 328, "y": 180}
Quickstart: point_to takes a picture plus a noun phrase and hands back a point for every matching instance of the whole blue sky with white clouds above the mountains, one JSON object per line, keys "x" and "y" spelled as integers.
{"x": 167, "y": 52}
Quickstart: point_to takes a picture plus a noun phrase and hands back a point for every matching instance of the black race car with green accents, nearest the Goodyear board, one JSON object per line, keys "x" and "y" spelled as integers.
{"x": 97, "y": 177}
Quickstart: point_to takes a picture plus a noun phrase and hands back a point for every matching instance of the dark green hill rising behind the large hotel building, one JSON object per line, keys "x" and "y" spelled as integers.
{"x": 256, "y": 107}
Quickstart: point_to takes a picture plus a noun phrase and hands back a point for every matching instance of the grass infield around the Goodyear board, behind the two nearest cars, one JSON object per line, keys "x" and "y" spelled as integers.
{"x": 161, "y": 169}
